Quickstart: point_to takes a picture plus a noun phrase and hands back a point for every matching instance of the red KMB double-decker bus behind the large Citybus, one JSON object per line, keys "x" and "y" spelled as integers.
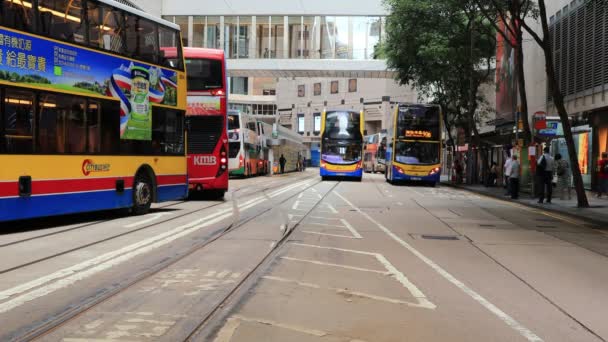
{"x": 207, "y": 138}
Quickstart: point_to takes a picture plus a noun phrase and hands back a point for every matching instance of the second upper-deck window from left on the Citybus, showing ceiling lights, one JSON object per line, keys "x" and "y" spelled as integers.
{"x": 62, "y": 20}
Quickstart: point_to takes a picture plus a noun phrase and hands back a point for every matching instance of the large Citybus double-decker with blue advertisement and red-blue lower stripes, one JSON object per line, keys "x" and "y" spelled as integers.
{"x": 91, "y": 109}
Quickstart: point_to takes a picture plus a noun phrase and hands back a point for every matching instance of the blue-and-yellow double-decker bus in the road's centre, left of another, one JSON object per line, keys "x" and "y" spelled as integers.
{"x": 342, "y": 144}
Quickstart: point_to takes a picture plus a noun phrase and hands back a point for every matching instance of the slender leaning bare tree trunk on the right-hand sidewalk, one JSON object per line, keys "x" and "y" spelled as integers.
{"x": 558, "y": 100}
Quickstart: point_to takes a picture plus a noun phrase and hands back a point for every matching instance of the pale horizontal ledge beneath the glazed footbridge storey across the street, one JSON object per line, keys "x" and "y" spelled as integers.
{"x": 308, "y": 68}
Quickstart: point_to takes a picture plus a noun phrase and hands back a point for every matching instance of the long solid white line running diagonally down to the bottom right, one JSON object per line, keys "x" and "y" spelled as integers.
{"x": 510, "y": 321}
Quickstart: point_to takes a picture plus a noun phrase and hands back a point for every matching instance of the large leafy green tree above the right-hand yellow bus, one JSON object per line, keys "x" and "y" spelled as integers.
{"x": 444, "y": 49}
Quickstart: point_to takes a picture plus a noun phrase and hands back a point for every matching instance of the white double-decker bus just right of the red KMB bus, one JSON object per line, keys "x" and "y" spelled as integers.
{"x": 244, "y": 145}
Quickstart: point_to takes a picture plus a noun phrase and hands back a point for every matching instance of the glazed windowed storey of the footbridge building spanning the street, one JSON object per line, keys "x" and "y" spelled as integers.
{"x": 285, "y": 37}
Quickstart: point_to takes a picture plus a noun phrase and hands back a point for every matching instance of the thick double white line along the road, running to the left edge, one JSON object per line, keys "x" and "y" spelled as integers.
{"x": 70, "y": 275}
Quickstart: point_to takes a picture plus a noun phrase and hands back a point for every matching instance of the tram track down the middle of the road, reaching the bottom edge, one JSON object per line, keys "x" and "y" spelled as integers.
{"x": 75, "y": 311}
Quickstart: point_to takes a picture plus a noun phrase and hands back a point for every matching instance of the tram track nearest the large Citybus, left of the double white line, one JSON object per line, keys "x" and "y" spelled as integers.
{"x": 124, "y": 233}
